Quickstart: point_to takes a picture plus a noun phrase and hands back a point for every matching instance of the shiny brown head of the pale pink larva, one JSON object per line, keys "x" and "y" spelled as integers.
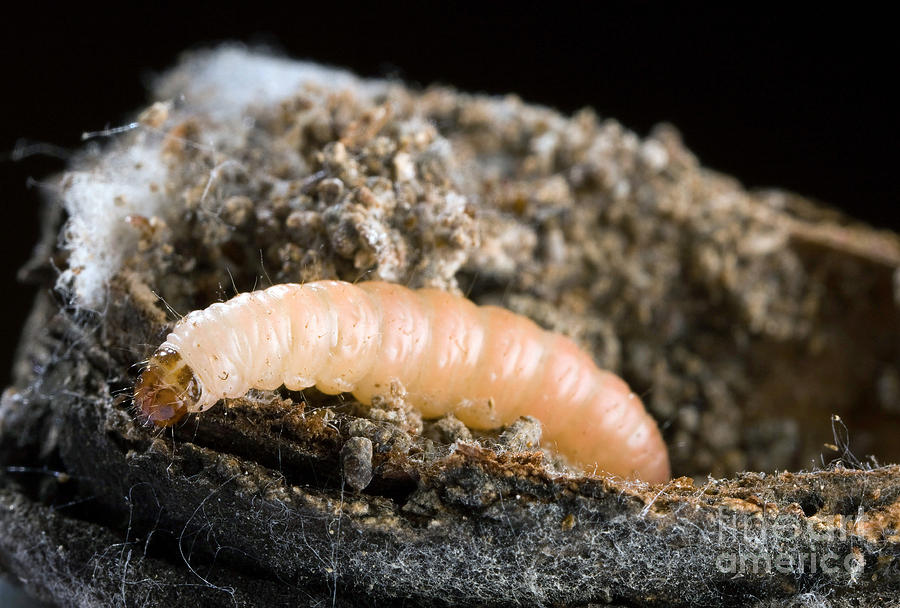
{"x": 167, "y": 389}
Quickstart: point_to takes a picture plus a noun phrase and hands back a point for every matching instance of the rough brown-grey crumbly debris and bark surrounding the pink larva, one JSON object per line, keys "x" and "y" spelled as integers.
{"x": 746, "y": 320}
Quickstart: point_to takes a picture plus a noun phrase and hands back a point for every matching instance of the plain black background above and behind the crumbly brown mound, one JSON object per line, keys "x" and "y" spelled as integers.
{"x": 802, "y": 101}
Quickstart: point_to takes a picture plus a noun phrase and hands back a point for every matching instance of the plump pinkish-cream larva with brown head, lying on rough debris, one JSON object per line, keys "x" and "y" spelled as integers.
{"x": 486, "y": 365}
